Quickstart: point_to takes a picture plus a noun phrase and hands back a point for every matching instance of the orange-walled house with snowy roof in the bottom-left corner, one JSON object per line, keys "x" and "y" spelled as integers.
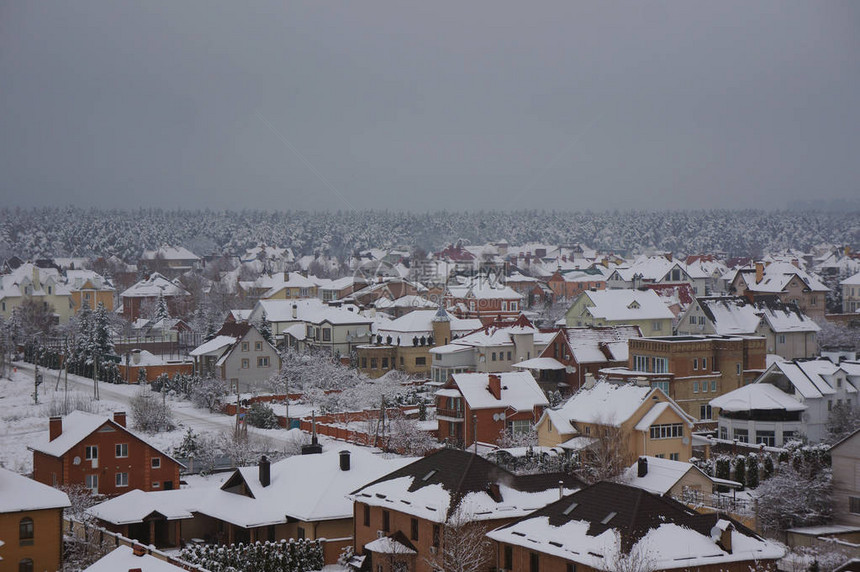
{"x": 31, "y": 524}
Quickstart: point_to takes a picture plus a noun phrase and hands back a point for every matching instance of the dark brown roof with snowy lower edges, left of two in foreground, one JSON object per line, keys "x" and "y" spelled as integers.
{"x": 450, "y": 483}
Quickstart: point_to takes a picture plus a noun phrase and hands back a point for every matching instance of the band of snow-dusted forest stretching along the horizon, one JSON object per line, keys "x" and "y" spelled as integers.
{"x": 46, "y": 232}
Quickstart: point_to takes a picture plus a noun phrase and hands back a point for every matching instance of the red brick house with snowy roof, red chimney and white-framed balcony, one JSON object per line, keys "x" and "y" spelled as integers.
{"x": 483, "y": 407}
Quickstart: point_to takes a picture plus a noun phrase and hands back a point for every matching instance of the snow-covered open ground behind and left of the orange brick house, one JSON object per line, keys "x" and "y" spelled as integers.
{"x": 22, "y": 422}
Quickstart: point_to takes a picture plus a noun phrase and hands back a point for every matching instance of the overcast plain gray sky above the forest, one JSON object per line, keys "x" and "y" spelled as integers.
{"x": 425, "y": 105}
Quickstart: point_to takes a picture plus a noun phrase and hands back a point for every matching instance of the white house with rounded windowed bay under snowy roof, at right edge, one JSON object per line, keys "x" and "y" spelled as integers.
{"x": 790, "y": 400}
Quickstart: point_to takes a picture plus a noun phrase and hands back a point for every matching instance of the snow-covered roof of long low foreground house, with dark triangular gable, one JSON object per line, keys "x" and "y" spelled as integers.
{"x": 304, "y": 487}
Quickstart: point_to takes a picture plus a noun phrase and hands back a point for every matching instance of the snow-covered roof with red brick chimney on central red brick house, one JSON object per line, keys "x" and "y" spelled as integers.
{"x": 519, "y": 391}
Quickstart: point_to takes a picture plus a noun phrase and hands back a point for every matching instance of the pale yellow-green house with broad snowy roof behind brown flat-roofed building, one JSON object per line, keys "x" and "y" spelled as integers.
{"x": 621, "y": 307}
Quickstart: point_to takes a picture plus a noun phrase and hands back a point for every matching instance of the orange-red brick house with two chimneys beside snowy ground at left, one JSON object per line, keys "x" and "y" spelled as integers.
{"x": 102, "y": 455}
